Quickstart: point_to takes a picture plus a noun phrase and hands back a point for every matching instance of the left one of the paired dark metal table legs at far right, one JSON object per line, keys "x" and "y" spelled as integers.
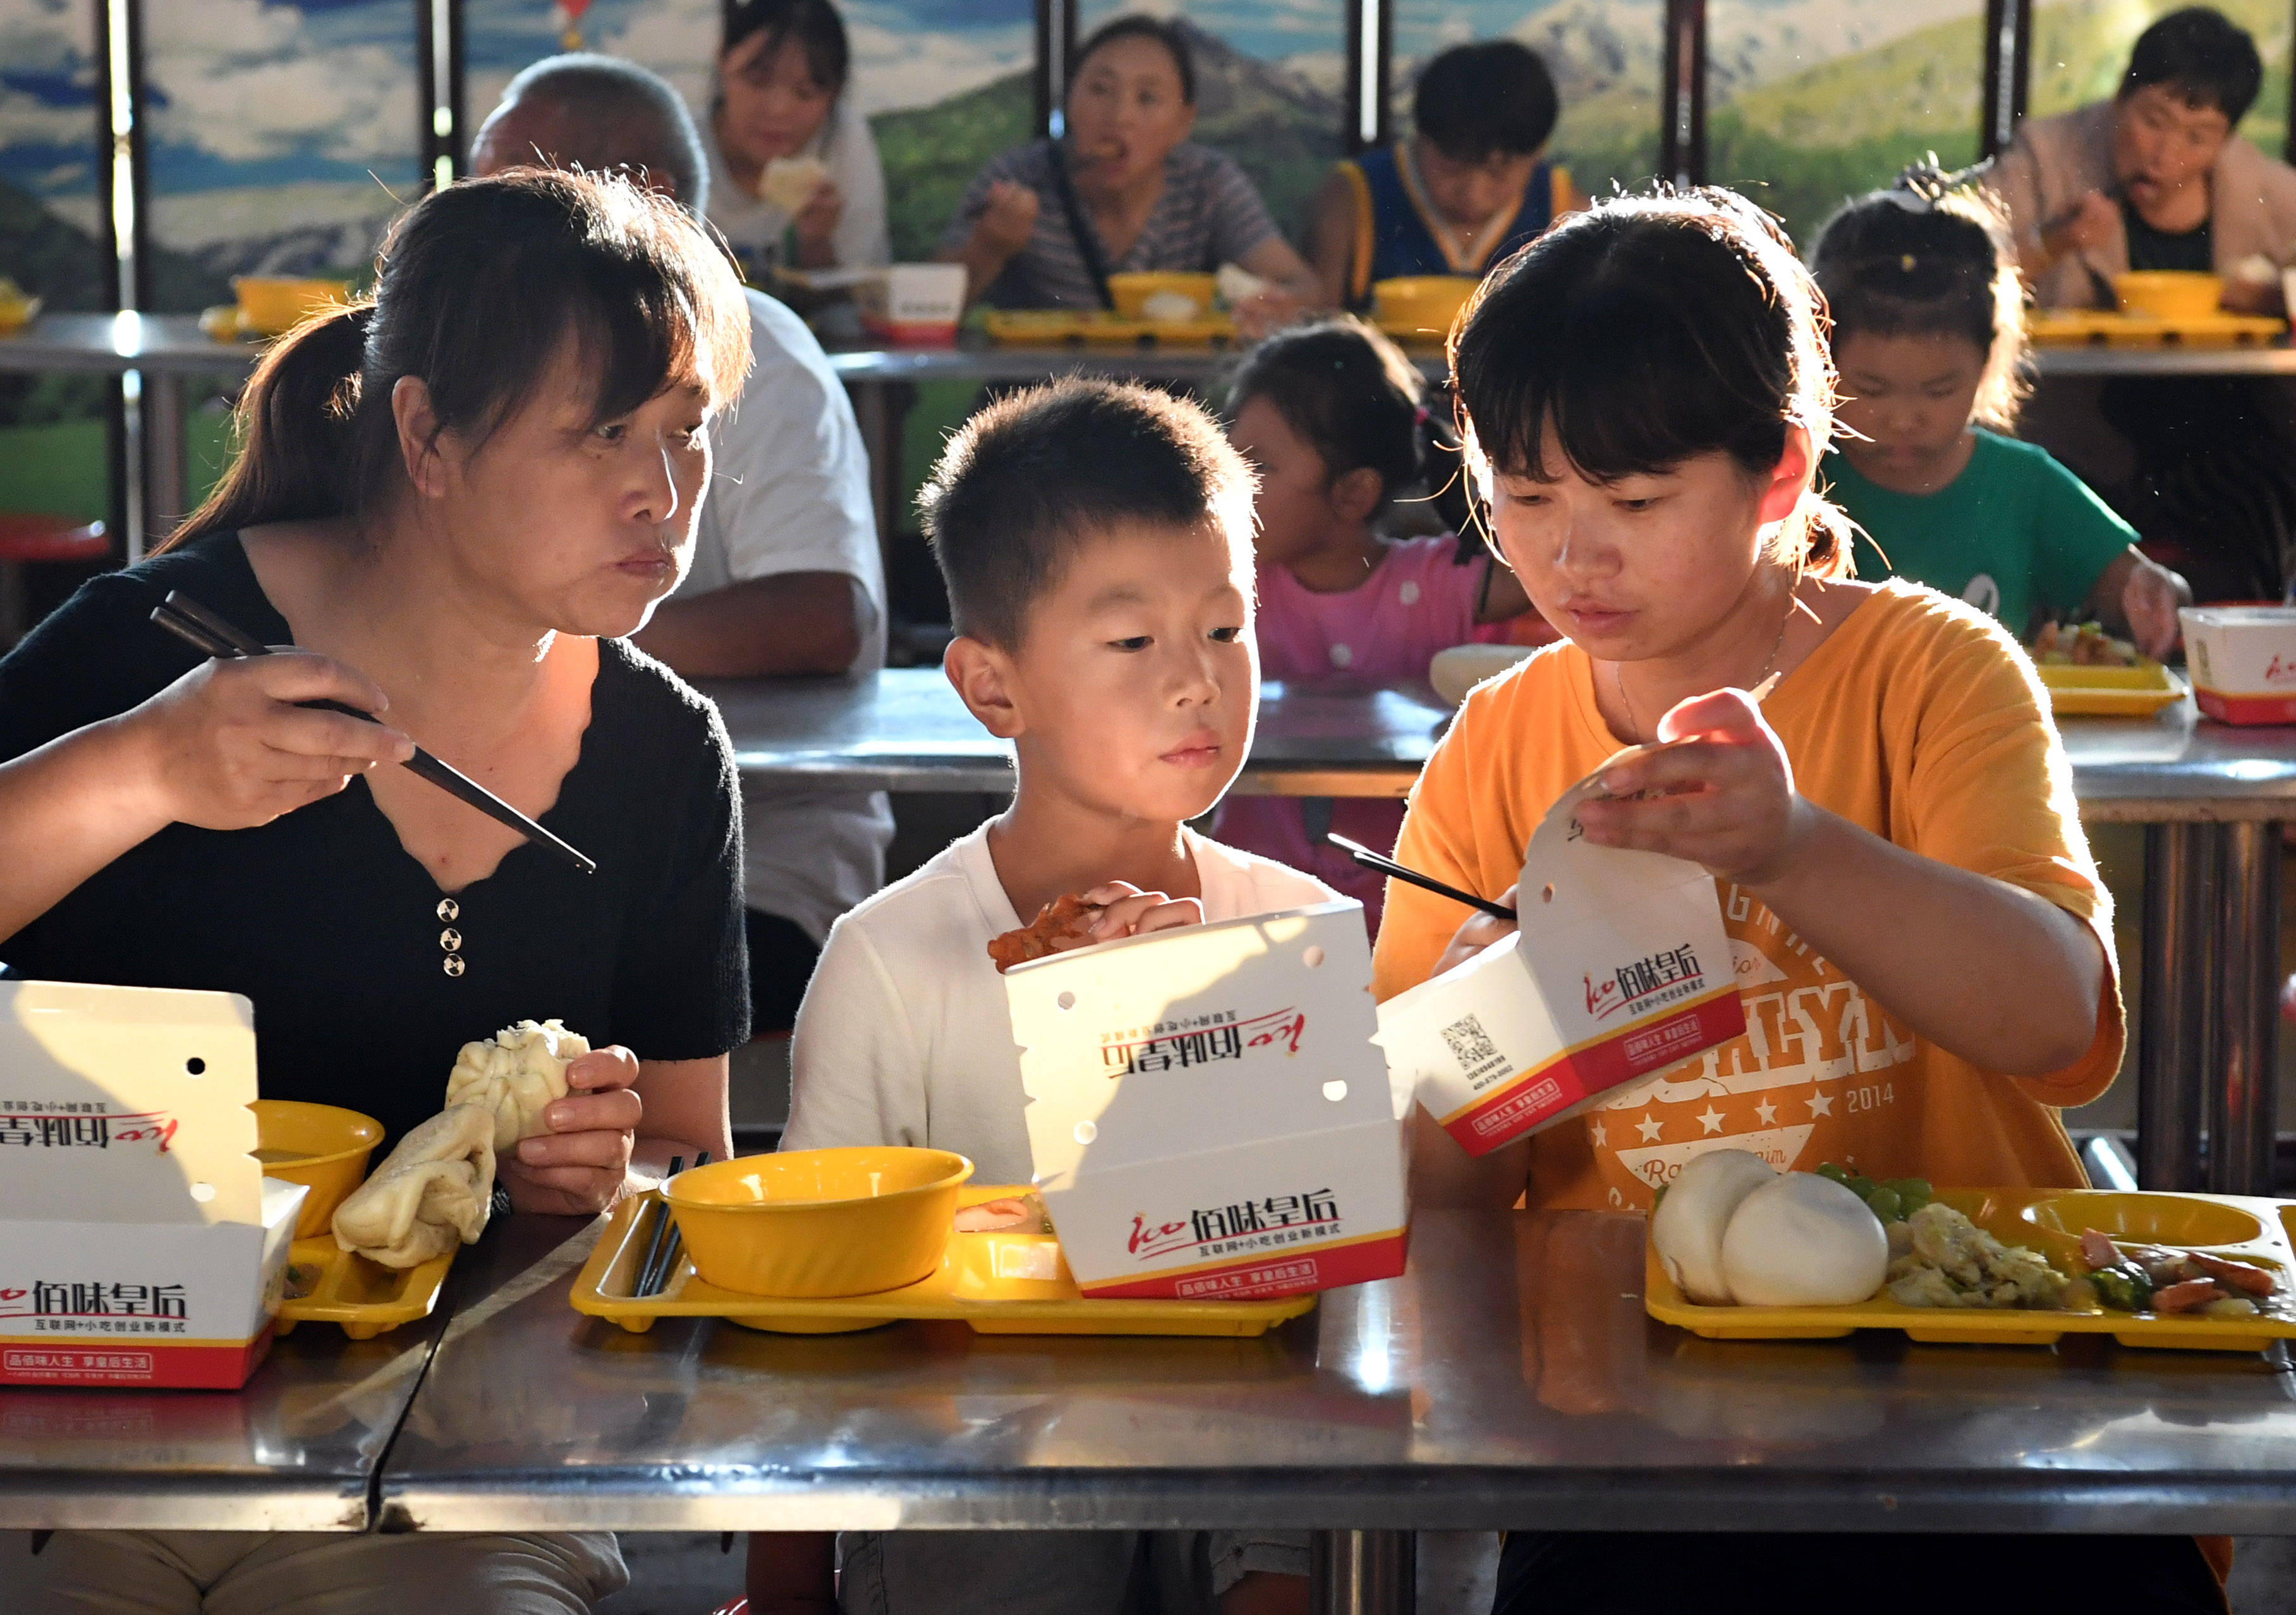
{"x": 2175, "y": 1013}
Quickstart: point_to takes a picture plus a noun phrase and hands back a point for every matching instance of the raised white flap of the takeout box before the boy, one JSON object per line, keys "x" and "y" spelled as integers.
{"x": 1202, "y": 1038}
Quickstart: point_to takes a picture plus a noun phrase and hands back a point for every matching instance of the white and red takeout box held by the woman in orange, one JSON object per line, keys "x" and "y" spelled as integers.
{"x": 1620, "y": 972}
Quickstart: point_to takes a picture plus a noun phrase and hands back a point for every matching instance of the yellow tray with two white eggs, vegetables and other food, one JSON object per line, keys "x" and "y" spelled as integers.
{"x": 1742, "y": 1251}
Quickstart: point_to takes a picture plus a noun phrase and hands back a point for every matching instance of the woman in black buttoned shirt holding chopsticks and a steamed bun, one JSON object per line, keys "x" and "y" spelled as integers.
{"x": 456, "y": 504}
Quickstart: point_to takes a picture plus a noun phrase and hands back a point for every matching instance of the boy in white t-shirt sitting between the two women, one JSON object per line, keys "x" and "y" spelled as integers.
{"x": 1096, "y": 540}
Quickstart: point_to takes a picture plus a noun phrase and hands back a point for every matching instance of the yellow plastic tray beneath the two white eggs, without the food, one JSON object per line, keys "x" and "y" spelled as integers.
{"x": 2049, "y": 1222}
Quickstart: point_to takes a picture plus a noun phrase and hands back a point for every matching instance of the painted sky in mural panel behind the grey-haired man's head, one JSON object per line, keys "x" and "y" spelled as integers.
{"x": 906, "y": 52}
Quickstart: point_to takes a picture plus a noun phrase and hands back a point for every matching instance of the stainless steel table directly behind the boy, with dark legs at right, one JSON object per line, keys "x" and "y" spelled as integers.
{"x": 2212, "y": 799}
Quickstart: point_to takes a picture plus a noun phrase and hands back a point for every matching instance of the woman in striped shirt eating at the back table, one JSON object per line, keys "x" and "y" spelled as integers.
{"x": 1124, "y": 192}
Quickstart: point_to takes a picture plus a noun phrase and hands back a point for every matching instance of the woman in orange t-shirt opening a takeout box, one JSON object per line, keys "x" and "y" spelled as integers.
{"x": 1921, "y": 939}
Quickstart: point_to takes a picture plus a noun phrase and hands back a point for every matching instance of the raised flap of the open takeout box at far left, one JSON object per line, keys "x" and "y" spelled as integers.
{"x": 127, "y": 1105}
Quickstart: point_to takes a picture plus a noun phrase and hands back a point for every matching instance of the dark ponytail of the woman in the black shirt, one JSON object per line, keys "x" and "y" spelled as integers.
{"x": 297, "y": 428}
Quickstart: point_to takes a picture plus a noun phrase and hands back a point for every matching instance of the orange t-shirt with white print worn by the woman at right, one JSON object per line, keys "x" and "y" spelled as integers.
{"x": 1921, "y": 721}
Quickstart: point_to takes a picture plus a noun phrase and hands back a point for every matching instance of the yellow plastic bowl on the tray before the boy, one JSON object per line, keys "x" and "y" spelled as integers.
{"x": 819, "y": 1222}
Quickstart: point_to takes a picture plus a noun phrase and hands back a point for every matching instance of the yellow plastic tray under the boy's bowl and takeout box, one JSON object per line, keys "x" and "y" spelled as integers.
{"x": 1002, "y": 1284}
